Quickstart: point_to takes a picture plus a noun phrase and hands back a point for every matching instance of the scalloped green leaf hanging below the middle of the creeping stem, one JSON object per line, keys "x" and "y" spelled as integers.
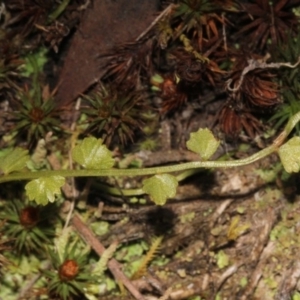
{"x": 160, "y": 187}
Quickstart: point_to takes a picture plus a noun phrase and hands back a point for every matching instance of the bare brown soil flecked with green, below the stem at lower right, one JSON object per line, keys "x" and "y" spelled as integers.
{"x": 229, "y": 234}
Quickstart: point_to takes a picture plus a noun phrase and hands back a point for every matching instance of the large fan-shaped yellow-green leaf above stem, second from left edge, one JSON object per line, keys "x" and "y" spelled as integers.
{"x": 92, "y": 154}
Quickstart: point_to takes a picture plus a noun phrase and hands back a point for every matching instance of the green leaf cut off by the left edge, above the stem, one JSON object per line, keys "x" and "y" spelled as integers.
{"x": 14, "y": 160}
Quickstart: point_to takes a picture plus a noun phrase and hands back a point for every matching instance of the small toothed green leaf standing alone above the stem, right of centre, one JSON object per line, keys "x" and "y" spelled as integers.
{"x": 203, "y": 142}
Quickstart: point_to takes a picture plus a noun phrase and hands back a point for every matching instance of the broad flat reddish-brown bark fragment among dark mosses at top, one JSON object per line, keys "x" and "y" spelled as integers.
{"x": 105, "y": 24}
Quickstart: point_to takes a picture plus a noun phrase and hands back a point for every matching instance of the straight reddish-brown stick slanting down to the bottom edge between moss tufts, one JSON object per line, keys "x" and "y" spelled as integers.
{"x": 113, "y": 265}
